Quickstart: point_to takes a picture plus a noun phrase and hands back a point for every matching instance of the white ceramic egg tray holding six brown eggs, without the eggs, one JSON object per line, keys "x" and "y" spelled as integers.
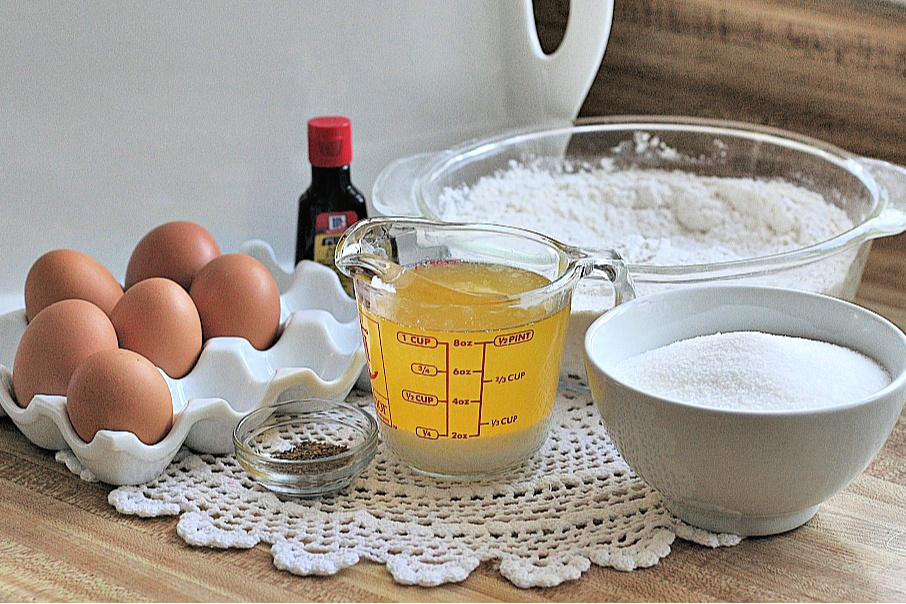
{"x": 318, "y": 354}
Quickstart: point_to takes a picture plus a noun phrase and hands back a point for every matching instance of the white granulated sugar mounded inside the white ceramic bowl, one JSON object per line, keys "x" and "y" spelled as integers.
{"x": 754, "y": 371}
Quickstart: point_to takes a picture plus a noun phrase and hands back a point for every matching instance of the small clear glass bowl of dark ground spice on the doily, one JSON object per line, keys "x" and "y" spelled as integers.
{"x": 306, "y": 447}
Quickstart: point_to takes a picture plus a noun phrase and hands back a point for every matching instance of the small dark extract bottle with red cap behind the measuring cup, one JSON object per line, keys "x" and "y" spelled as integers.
{"x": 331, "y": 204}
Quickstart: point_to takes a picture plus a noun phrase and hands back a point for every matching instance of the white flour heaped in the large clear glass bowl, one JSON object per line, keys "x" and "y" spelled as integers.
{"x": 655, "y": 217}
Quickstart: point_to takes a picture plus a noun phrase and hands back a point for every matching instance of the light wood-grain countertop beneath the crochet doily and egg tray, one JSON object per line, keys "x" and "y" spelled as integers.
{"x": 61, "y": 541}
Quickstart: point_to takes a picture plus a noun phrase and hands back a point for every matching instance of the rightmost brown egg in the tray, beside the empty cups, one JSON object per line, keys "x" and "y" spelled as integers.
{"x": 237, "y": 296}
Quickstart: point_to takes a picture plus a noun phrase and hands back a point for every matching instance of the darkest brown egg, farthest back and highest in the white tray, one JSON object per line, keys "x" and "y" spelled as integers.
{"x": 175, "y": 250}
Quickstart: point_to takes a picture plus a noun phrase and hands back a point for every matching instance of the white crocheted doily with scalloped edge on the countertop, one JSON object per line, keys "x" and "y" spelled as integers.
{"x": 576, "y": 503}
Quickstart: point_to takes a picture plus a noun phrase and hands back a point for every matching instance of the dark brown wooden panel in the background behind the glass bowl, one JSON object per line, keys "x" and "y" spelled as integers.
{"x": 833, "y": 69}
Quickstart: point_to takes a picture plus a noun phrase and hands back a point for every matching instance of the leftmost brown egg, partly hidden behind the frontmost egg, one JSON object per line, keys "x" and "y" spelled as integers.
{"x": 54, "y": 343}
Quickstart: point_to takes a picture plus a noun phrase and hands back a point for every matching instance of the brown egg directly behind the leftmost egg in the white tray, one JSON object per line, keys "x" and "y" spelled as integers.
{"x": 65, "y": 274}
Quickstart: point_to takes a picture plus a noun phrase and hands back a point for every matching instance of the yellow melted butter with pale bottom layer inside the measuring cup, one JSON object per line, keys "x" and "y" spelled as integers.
{"x": 463, "y": 382}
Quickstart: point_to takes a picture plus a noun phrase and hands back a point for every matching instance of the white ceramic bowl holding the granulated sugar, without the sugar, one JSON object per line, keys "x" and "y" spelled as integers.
{"x": 735, "y": 471}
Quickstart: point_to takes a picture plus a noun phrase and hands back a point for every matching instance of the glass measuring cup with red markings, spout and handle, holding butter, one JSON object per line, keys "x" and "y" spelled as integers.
{"x": 464, "y": 327}
